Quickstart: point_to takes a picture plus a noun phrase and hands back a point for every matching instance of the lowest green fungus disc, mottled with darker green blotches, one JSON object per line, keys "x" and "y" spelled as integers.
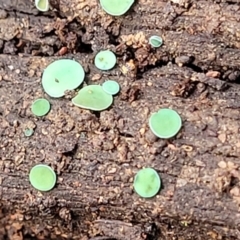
{"x": 147, "y": 183}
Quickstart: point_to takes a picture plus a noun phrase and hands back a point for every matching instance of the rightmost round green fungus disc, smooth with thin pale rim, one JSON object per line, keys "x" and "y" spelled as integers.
{"x": 165, "y": 123}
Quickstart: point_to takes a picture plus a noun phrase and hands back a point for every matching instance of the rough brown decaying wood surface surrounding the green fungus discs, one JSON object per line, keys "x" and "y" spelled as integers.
{"x": 96, "y": 155}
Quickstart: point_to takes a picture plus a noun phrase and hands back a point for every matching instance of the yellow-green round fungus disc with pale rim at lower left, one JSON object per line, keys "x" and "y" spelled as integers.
{"x": 42, "y": 177}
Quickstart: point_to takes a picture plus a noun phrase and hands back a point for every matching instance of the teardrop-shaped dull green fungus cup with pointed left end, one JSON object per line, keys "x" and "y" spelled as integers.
{"x": 93, "y": 97}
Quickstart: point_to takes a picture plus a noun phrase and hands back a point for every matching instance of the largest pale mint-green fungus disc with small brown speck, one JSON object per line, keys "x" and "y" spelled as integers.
{"x": 62, "y": 75}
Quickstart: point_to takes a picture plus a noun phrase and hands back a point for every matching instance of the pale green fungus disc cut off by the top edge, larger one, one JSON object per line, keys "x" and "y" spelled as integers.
{"x": 116, "y": 7}
